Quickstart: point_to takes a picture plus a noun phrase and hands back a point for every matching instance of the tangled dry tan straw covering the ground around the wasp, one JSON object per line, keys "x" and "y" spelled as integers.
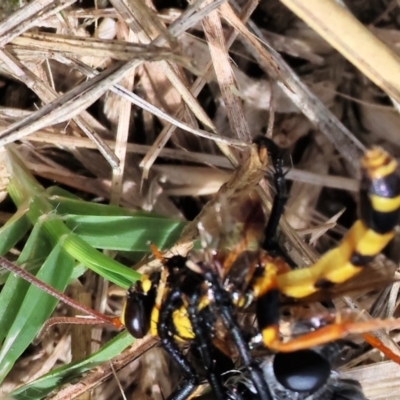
{"x": 152, "y": 105}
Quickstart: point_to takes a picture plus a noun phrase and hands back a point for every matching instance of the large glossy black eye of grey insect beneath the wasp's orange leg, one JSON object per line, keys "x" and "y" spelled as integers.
{"x": 301, "y": 371}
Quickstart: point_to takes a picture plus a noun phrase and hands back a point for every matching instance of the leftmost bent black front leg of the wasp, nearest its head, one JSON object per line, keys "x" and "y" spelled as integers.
{"x": 173, "y": 301}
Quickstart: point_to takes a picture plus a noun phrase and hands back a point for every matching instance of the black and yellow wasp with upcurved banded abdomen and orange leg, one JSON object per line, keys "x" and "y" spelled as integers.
{"x": 189, "y": 297}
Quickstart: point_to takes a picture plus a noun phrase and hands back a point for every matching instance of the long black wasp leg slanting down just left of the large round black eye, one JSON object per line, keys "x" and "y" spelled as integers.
{"x": 223, "y": 304}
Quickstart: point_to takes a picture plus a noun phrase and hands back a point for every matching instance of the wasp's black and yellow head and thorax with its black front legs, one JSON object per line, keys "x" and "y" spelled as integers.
{"x": 184, "y": 315}
